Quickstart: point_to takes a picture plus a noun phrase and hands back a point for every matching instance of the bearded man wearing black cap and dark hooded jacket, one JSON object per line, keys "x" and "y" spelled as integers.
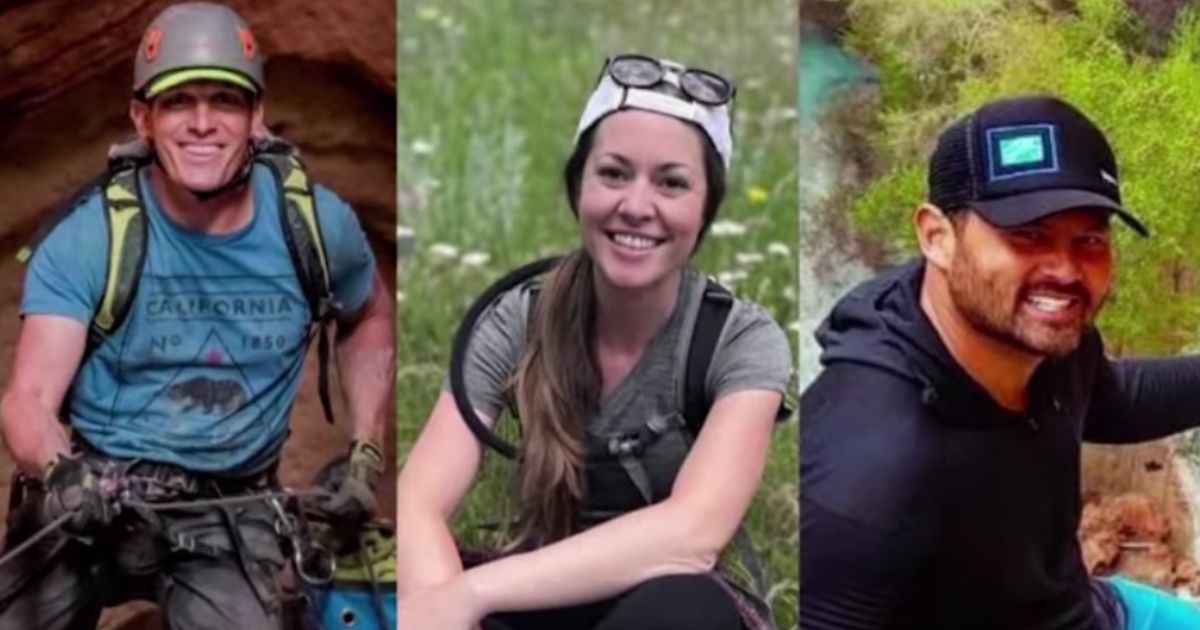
{"x": 949, "y": 497}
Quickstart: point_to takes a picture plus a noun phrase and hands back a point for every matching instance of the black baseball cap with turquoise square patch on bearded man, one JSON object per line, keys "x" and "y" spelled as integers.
{"x": 1019, "y": 160}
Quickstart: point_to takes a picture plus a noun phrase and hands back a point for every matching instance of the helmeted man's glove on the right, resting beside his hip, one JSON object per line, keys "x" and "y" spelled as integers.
{"x": 351, "y": 483}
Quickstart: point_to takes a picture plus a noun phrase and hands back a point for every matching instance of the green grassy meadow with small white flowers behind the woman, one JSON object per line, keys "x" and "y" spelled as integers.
{"x": 490, "y": 94}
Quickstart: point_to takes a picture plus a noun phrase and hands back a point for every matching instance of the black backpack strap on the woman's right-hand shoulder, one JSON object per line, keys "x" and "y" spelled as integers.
{"x": 715, "y": 311}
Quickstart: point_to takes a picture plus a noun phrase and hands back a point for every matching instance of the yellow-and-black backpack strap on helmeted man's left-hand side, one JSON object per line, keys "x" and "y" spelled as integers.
{"x": 125, "y": 218}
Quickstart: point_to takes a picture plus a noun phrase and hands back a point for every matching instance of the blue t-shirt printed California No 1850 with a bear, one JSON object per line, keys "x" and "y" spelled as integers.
{"x": 205, "y": 370}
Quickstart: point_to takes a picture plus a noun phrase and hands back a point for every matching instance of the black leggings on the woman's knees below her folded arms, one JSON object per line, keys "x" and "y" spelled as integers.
{"x": 675, "y": 602}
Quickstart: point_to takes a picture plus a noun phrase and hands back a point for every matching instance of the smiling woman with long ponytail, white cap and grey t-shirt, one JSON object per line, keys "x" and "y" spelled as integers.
{"x": 625, "y": 497}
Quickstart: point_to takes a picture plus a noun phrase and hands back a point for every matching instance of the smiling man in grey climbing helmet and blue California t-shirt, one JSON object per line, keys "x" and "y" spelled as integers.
{"x": 166, "y": 319}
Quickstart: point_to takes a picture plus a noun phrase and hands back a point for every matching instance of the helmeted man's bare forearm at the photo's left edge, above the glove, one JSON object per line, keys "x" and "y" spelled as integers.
{"x": 33, "y": 434}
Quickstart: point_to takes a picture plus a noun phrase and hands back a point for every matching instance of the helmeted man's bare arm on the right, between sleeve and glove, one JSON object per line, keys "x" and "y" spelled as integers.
{"x": 367, "y": 358}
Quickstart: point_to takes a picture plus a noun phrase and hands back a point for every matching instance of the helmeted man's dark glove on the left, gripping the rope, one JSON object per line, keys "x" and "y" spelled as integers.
{"x": 75, "y": 488}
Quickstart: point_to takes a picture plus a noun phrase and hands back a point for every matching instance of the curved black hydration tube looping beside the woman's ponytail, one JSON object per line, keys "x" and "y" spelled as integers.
{"x": 463, "y": 341}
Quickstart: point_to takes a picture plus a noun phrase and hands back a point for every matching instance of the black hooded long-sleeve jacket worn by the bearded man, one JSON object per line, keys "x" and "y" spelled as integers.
{"x": 927, "y": 506}
